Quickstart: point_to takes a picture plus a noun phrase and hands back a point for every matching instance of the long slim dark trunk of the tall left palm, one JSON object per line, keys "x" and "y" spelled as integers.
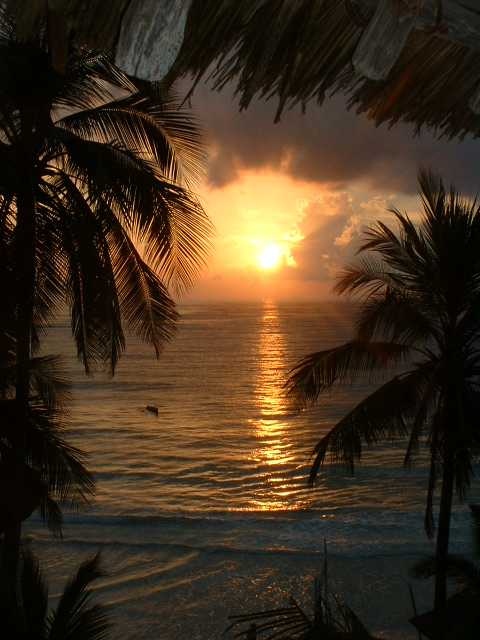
{"x": 25, "y": 241}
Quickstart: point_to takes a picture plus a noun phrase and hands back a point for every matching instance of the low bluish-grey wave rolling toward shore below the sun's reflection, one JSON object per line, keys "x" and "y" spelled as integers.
{"x": 300, "y": 533}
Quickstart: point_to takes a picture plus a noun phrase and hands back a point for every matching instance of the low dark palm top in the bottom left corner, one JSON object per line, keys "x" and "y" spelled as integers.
{"x": 24, "y": 615}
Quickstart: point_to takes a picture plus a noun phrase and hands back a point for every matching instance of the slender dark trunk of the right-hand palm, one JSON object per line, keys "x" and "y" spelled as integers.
{"x": 443, "y": 534}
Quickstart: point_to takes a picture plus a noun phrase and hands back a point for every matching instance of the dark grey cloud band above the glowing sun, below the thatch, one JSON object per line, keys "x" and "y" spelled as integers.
{"x": 328, "y": 145}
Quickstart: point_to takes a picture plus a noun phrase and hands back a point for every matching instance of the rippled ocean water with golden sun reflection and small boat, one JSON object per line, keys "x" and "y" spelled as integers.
{"x": 203, "y": 511}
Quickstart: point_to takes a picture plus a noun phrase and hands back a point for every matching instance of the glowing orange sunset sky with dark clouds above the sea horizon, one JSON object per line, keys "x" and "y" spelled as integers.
{"x": 289, "y": 200}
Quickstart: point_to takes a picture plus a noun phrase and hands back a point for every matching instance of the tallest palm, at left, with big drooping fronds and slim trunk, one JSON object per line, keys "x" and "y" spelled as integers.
{"x": 95, "y": 211}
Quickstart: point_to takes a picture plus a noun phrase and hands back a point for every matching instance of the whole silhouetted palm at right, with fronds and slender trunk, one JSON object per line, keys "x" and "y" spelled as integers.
{"x": 420, "y": 314}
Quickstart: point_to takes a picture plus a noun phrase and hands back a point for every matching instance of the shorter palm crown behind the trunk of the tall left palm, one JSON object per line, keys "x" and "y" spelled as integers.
{"x": 56, "y": 472}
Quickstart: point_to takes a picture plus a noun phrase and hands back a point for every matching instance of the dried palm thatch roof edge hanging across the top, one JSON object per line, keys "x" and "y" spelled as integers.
{"x": 396, "y": 60}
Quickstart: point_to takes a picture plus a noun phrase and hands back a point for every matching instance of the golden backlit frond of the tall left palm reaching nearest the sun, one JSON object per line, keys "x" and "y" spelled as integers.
{"x": 166, "y": 218}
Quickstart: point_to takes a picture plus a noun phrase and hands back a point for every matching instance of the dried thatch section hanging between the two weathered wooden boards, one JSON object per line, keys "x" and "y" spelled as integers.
{"x": 234, "y": 35}
